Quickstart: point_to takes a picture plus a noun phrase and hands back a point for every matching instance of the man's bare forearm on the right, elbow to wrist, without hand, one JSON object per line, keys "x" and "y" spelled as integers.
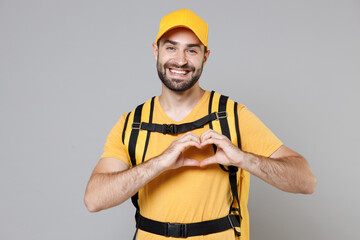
{"x": 290, "y": 174}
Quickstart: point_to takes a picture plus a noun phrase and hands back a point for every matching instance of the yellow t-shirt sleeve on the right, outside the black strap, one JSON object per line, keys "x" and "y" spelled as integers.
{"x": 255, "y": 136}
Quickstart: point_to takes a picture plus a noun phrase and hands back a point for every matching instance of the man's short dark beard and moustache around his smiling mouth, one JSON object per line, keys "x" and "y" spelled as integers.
{"x": 178, "y": 85}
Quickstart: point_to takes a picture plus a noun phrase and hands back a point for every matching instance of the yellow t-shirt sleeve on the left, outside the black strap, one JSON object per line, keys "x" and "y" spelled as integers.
{"x": 114, "y": 147}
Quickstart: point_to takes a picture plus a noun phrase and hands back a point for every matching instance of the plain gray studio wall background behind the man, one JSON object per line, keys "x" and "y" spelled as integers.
{"x": 69, "y": 69}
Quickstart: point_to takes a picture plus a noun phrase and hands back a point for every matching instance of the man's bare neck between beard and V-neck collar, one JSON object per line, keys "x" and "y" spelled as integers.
{"x": 177, "y": 105}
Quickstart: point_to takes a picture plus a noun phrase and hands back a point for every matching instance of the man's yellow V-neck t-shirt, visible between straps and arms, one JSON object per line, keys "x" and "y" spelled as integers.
{"x": 192, "y": 194}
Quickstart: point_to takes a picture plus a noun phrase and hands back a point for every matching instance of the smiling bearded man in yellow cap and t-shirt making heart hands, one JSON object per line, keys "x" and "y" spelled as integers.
{"x": 182, "y": 190}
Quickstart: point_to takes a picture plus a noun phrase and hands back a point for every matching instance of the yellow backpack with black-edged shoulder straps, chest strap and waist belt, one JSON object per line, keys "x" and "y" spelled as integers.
{"x": 223, "y": 118}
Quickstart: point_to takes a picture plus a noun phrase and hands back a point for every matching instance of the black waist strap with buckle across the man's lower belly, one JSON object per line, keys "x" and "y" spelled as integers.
{"x": 180, "y": 230}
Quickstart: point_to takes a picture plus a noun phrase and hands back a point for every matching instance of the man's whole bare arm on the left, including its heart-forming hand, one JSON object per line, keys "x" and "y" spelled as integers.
{"x": 112, "y": 182}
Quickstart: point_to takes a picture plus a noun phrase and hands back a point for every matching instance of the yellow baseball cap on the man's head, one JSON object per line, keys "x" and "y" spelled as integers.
{"x": 184, "y": 18}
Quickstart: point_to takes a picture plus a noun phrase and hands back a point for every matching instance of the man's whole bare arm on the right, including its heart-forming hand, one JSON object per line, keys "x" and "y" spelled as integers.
{"x": 284, "y": 169}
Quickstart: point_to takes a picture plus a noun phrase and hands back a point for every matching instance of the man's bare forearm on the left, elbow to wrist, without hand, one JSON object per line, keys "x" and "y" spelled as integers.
{"x": 107, "y": 190}
